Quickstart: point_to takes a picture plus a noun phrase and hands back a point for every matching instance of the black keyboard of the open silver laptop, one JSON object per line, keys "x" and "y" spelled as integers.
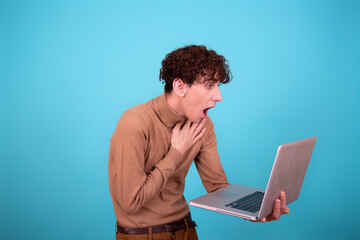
{"x": 250, "y": 203}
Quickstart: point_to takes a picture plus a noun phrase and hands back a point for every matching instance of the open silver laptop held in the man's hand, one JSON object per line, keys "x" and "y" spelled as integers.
{"x": 288, "y": 172}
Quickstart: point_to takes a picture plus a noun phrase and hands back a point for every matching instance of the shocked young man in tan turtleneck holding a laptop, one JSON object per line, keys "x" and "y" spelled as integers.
{"x": 155, "y": 143}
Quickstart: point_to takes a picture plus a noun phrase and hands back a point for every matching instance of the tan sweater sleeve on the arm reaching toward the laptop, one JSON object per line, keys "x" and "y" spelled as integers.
{"x": 208, "y": 162}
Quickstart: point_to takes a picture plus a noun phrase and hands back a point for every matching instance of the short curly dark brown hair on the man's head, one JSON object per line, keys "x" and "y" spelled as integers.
{"x": 190, "y": 62}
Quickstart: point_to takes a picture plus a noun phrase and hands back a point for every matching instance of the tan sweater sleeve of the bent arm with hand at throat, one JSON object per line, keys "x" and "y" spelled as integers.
{"x": 130, "y": 185}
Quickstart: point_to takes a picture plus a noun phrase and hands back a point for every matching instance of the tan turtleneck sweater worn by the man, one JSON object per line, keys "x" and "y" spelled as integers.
{"x": 146, "y": 184}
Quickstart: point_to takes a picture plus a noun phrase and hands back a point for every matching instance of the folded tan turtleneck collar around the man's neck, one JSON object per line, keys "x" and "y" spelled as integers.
{"x": 164, "y": 112}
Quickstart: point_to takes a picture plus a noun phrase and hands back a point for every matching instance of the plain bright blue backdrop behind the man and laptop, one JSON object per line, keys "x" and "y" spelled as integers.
{"x": 69, "y": 69}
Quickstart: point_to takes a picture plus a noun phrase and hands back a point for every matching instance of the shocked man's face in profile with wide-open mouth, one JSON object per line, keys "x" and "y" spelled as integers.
{"x": 199, "y": 98}
